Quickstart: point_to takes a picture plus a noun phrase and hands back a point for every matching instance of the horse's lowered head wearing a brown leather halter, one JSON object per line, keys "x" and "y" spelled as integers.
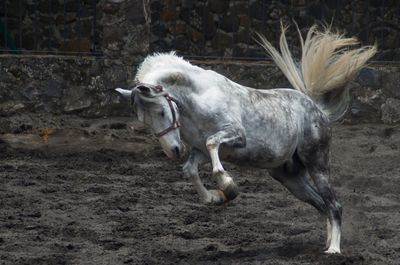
{"x": 157, "y": 109}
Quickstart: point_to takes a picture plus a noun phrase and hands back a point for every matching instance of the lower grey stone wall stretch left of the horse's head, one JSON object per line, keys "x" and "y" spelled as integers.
{"x": 62, "y": 85}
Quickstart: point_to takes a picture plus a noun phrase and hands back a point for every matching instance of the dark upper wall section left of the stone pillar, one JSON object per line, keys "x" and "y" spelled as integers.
{"x": 51, "y": 26}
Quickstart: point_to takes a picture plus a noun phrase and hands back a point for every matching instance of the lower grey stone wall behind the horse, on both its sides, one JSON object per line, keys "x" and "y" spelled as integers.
{"x": 85, "y": 86}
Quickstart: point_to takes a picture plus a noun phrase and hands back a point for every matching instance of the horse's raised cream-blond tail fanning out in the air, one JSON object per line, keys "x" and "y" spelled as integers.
{"x": 326, "y": 67}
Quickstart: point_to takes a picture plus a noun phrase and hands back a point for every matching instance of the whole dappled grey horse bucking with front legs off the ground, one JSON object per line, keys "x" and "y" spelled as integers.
{"x": 286, "y": 131}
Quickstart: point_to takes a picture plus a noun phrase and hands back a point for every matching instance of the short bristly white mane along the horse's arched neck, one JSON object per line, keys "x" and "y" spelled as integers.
{"x": 162, "y": 62}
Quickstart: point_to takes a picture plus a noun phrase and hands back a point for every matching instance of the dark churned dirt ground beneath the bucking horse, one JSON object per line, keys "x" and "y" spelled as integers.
{"x": 78, "y": 191}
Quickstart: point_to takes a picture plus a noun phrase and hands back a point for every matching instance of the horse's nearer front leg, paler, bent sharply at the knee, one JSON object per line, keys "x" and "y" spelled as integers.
{"x": 232, "y": 138}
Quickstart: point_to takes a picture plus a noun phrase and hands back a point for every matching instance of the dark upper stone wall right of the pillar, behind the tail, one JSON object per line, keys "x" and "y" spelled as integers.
{"x": 225, "y": 28}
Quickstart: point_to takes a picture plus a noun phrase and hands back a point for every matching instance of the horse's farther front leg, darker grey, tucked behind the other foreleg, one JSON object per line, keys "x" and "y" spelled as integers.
{"x": 190, "y": 170}
